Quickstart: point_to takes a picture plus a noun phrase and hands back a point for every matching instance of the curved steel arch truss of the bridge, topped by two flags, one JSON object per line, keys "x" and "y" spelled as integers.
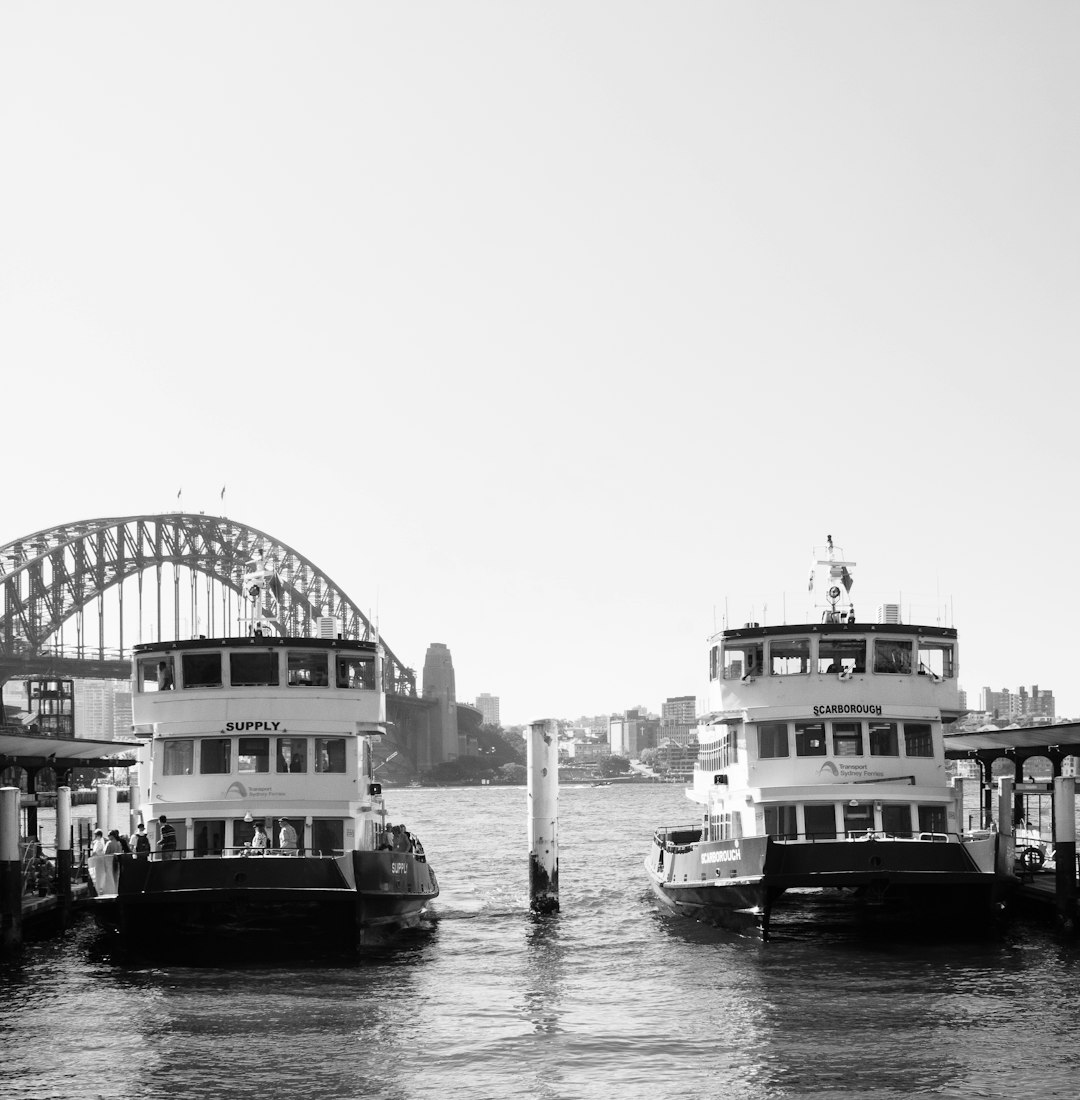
{"x": 53, "y": 576}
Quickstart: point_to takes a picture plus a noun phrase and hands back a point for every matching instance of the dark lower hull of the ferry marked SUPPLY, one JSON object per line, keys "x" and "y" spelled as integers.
{"x": 345, "y": 901}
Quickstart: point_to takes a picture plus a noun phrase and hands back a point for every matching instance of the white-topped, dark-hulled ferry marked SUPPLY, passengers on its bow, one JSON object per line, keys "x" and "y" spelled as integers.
{"x": 257, "y": 769}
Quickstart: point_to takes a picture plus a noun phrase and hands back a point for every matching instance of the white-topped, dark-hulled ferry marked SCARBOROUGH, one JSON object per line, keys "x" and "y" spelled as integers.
{"x": 822, "y": 772}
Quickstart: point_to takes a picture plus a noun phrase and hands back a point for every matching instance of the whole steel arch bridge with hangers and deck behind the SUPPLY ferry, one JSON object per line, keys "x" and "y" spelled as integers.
{"x": 78, "y": 597}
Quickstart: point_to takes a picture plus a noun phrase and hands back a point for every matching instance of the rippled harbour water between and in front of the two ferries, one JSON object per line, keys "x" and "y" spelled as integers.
{"x": 608, "y": 998}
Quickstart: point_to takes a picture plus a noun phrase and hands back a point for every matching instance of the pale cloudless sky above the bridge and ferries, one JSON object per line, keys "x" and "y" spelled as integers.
{"x": 553, "y": 331}
